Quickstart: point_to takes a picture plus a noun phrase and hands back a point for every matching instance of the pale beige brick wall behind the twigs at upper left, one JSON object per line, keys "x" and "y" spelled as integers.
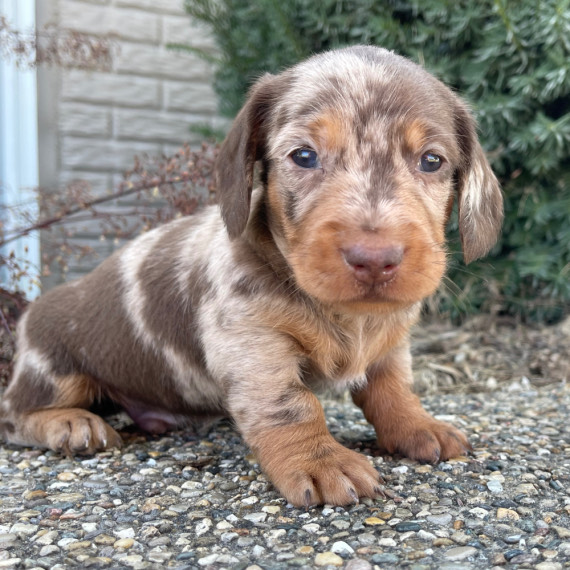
{"x": 93, "y": 123}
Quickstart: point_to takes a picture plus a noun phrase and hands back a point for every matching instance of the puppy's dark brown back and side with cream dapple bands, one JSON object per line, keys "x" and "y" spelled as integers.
{"x": 131, "y": 324}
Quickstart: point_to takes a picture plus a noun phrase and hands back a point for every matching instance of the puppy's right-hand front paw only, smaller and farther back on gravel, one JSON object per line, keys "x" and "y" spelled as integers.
{"x": 425, "y": 439}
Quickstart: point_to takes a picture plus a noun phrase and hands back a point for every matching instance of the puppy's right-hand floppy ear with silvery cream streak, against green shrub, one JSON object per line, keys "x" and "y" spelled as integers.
{"x": 480, "y": 201}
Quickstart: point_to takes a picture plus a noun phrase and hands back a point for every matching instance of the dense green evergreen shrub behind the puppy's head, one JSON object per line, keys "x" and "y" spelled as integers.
{"x": 509, "y": 58}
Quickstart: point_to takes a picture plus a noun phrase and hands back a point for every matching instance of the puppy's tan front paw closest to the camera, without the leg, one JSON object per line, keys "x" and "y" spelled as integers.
{"x": 328, "y": 474}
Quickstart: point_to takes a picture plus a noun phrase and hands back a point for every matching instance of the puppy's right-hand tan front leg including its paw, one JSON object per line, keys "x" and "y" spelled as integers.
{"x": 401, "y": 424}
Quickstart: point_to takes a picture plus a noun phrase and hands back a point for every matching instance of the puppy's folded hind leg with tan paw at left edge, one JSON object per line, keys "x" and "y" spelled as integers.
{"x": 45, "y": 410}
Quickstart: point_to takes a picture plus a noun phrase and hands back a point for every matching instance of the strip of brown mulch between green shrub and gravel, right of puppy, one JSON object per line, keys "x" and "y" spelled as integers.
{"x": 488, "y": 351}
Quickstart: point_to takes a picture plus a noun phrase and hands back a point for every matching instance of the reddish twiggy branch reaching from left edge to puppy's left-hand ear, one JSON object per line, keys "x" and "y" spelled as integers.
{"x": 160, "y": 188}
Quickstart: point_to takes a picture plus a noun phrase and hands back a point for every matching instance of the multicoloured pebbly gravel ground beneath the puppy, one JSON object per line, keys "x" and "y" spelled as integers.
{"x": 201, "y": 502}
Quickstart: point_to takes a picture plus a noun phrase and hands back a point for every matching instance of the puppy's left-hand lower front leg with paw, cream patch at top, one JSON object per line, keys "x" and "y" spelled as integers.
{"x": 284, "y": 424}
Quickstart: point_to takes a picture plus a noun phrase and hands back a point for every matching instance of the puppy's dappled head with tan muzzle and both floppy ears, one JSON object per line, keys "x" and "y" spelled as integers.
{"x": 363, "y": 152}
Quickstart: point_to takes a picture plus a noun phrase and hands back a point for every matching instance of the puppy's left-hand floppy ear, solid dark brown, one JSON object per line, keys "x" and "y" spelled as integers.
{"x": 244, "y": 145}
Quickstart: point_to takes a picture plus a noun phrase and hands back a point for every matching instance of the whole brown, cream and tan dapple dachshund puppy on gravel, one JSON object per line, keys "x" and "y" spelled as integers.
{"x": 311, "y": 280}
